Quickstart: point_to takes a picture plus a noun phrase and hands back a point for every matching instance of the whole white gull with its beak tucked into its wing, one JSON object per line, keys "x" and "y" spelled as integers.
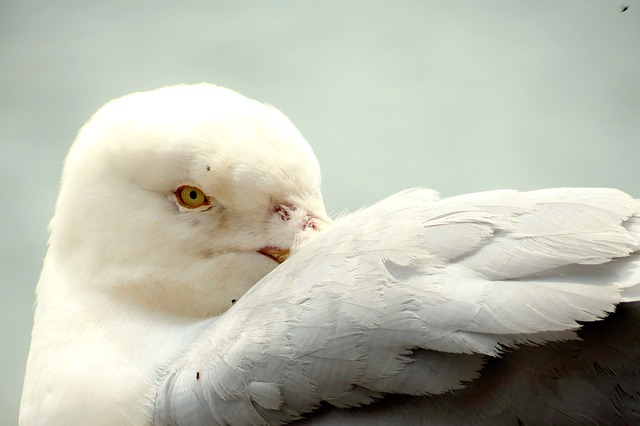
{"x": 165, "y": 296}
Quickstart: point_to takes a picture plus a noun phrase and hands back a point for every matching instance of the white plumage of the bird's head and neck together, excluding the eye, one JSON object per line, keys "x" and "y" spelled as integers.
{"x": 122, "y": 245}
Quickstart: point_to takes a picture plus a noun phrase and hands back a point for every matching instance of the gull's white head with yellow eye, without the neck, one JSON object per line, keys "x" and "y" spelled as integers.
{"x": 182, "y": 198}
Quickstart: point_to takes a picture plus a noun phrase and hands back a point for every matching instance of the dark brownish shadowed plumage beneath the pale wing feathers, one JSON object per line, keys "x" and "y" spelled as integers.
{"x": 591, "y": 381}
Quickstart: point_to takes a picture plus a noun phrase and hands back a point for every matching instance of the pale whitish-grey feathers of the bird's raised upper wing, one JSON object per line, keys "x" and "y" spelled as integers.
{"x": 408, "y": 289}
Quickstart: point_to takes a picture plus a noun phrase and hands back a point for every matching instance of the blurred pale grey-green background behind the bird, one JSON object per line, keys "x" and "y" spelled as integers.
{"x": 458, "y": 96}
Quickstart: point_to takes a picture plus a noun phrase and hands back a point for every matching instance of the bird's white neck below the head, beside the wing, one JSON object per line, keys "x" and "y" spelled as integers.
{"x": 94, "y": 360}
